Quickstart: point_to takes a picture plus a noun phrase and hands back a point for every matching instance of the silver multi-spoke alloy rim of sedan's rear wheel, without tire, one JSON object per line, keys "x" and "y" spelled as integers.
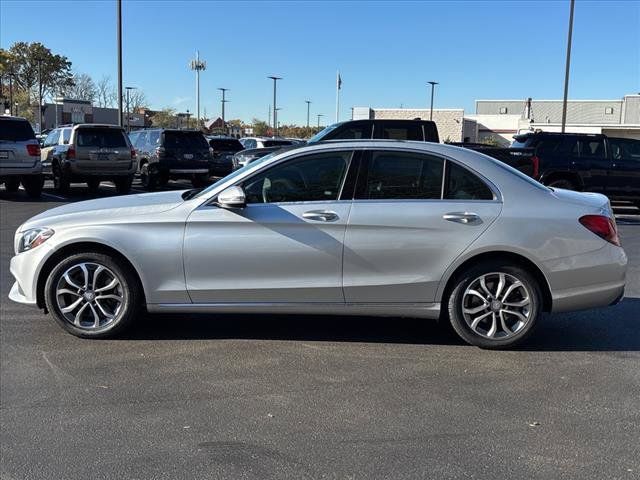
{"x": 496, "y": 305}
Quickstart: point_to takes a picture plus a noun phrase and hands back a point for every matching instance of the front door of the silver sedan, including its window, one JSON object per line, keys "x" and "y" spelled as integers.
{"x": 285, "y": 246}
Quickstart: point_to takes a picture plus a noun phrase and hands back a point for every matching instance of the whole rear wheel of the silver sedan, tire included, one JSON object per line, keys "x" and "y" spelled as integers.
{"x": 494, "y": 305}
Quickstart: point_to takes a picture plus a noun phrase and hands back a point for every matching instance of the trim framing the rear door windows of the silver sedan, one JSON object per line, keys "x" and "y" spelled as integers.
{"x": 365, "y": 163}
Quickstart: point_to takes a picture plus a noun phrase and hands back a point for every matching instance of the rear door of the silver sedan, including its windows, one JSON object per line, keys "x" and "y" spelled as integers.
{"x": 412, "y": 215}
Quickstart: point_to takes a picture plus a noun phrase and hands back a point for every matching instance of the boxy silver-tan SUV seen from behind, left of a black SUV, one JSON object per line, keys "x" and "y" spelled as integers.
{"x": 89, "y": 153}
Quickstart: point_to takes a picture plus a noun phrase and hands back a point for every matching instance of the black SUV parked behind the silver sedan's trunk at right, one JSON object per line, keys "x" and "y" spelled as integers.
{"x": 592, "y": 163}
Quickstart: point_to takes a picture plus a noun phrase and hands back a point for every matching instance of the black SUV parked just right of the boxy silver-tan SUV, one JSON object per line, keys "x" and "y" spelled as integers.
{"x": 171, "y": 154}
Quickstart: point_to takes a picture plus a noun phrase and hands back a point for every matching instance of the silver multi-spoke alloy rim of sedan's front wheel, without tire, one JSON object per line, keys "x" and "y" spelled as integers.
{"x": 89, "y": 295}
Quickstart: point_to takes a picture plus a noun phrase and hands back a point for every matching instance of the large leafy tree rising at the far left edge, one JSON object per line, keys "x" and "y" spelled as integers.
{"x": 23, "y": 59}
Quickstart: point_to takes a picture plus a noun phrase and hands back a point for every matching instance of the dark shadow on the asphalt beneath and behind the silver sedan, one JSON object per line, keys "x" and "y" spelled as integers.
{"x": 607, "y": 329}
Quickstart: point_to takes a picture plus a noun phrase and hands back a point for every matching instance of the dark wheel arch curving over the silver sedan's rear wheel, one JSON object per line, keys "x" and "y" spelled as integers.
{"x": 502, "y": 255}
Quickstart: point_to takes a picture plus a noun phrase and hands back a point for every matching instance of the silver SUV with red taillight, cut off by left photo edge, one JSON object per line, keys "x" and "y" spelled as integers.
{"x": 19, "y": 156}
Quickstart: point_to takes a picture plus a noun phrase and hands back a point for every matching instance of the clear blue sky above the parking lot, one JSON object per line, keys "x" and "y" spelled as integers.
{"x": 385, "y": 50}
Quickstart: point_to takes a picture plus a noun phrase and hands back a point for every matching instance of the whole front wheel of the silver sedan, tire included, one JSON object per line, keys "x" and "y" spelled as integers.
{"x": 93, "y": 295}
